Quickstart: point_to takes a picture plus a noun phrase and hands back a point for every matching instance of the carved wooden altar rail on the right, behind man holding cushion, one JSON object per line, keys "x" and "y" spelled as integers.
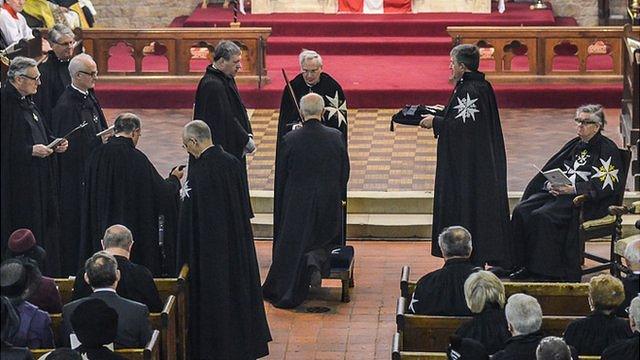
{"x": 547, "y": 53}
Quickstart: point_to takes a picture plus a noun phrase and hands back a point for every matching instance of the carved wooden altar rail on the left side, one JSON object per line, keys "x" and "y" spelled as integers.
{"x": 172, "y": 54}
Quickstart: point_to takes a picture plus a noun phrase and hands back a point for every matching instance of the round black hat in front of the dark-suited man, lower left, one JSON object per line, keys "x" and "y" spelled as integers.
{"x": 94, "y": 323}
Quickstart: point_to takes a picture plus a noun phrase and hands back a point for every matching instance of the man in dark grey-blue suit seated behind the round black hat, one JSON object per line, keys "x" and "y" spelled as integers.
{"x": 101, "y": 272}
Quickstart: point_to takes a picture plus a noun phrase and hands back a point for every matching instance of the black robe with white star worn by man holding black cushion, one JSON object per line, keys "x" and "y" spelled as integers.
{"x": 471, "y": 172}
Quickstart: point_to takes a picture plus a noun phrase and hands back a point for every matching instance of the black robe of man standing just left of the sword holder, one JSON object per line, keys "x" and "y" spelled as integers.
{"x": 218, "y": 103}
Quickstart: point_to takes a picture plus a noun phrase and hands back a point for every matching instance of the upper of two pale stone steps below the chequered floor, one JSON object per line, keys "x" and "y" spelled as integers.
{"x": 397, "y": 202}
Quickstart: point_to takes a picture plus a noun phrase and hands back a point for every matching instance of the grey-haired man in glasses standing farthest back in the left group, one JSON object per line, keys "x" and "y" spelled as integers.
{"x": 54, "y": 71}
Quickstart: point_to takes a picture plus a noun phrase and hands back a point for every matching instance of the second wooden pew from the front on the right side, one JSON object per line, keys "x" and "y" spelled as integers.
{"x": 431, "y": 333}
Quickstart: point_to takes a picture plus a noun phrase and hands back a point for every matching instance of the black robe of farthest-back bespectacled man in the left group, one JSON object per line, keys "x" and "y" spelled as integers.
{"x": 54, "y": 79}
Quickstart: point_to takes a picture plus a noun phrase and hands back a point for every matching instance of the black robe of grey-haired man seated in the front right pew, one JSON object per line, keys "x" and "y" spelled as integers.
{"x": 441, "y": 292}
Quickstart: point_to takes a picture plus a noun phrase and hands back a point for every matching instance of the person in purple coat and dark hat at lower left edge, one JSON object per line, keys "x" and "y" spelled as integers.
{"x": 18, "y": 279}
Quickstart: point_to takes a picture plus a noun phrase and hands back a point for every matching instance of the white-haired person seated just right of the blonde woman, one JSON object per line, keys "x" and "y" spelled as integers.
{"x": 524, "y": 317}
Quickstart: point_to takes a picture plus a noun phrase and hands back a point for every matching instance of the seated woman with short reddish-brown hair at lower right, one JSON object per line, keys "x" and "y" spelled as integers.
{"x": 592, "y": 334}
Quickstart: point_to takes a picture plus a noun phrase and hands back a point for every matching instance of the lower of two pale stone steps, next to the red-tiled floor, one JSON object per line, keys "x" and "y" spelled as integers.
{"x": 393, "y": 226}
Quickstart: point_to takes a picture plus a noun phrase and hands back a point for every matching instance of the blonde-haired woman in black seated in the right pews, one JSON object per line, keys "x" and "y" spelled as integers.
{"x": 484, "y": 294}
